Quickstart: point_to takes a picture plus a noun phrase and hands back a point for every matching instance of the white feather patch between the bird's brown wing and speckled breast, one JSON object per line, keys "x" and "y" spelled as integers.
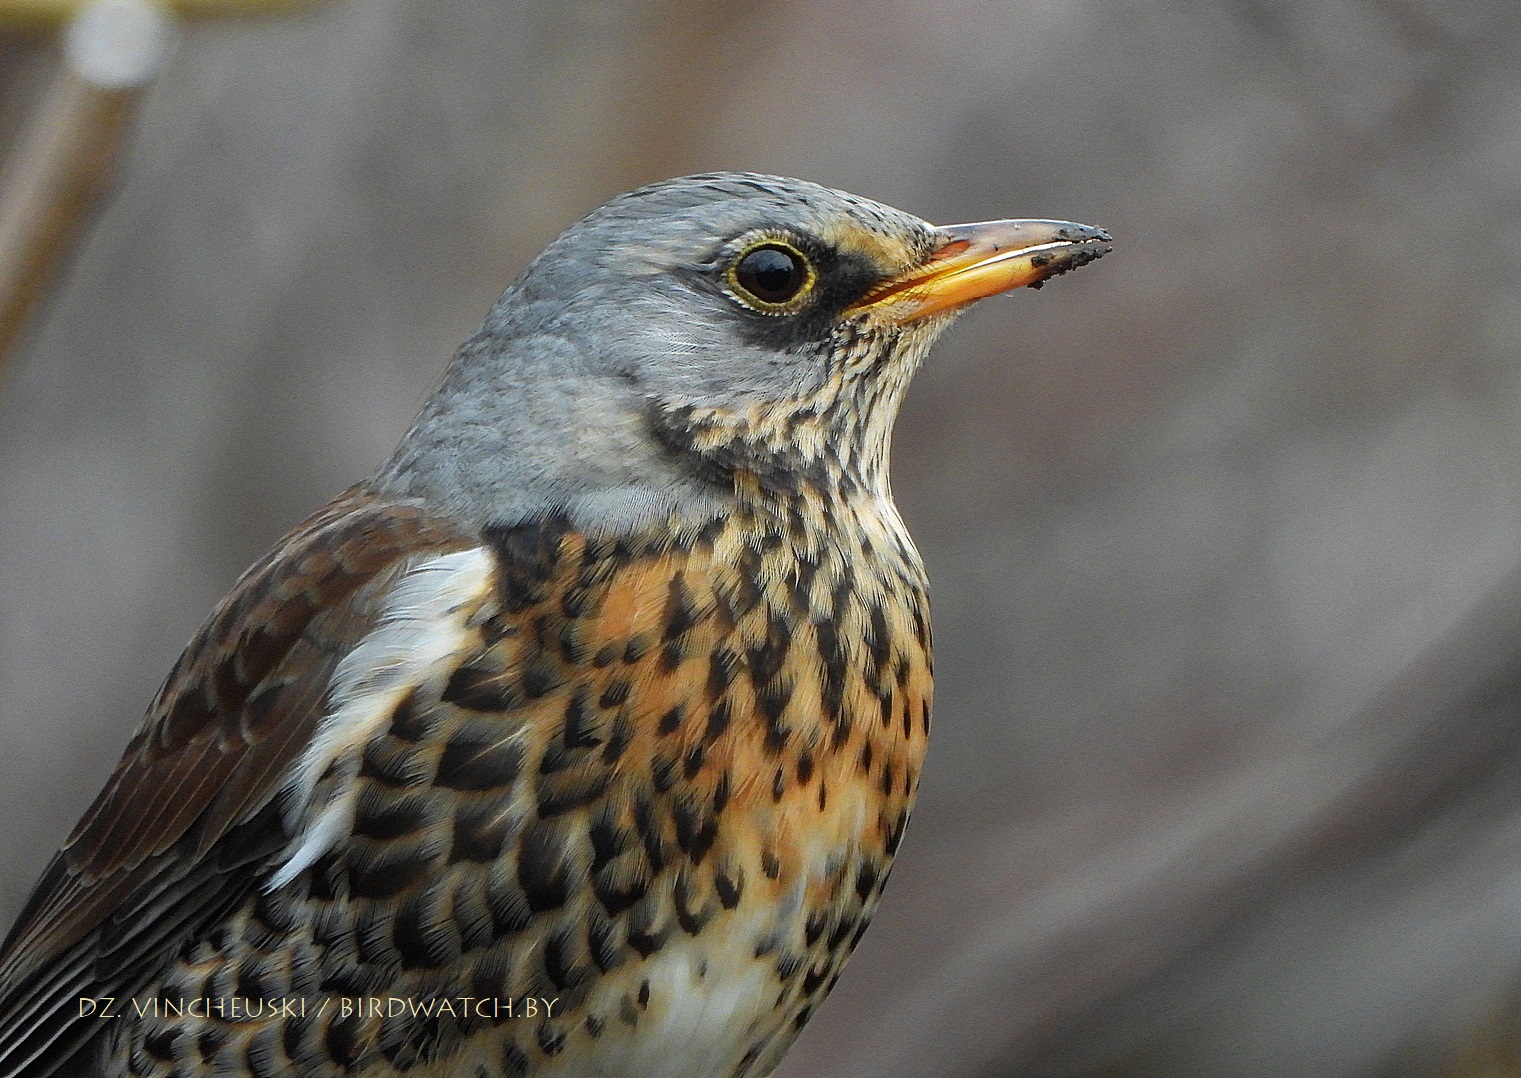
{"x": 424, "y": 627}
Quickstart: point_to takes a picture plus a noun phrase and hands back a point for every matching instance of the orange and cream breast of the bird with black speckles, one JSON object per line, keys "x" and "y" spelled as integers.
{"x": 659, "y": 801}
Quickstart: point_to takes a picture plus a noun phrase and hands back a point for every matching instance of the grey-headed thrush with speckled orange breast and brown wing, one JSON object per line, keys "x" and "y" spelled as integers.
{"x": 579, "y": 741}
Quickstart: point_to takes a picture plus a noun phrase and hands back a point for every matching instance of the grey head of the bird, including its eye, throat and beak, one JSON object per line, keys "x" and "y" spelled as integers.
{"x": 703, "y": 340}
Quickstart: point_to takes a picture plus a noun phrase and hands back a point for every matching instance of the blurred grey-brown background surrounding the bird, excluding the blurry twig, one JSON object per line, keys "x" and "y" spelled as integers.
{"x": 1224, "y": 531}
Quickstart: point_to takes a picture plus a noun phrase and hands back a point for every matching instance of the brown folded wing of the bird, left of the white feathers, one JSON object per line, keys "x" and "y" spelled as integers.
{"x": 192, "y": 799}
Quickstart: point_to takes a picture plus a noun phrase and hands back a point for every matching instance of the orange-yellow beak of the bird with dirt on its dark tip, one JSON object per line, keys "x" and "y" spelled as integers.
{"x": 974, "y": 262}
